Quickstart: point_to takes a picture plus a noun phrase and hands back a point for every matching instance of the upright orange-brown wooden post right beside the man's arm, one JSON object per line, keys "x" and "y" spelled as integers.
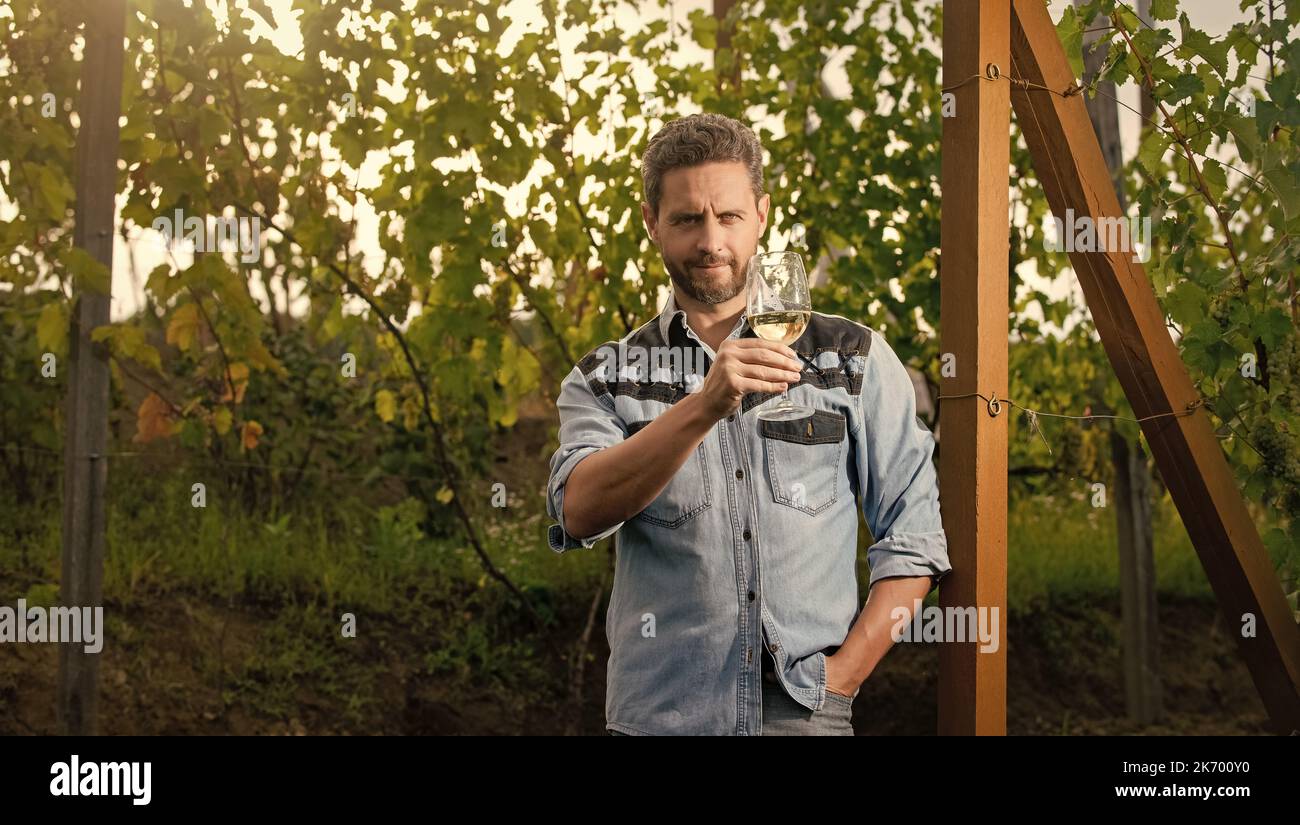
{"x": 974, "y": 307}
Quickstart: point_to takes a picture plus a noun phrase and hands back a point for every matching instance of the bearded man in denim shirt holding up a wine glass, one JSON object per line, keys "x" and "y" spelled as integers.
{"x": 735, "y": 606}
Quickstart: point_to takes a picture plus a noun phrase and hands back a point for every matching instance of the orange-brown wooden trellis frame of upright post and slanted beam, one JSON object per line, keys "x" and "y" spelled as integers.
{"x": 1015, "y": 42}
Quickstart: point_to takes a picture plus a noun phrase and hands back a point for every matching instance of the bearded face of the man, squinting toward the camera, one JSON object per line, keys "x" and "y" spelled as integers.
{"x": 708, "y": 229}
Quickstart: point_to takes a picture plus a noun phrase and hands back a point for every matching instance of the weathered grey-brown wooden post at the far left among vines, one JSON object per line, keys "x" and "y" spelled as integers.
{"x": 85, "y": 467}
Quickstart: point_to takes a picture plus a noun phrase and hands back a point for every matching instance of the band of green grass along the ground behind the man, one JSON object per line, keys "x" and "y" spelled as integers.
{"x": 376, "y": 558}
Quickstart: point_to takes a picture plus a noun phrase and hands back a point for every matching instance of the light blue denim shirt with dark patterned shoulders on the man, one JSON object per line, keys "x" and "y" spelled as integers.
{"x": 755, "y": 541}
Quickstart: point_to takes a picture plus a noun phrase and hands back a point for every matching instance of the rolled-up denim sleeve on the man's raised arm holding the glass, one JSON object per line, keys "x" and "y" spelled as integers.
{"x": 587, "y": 425}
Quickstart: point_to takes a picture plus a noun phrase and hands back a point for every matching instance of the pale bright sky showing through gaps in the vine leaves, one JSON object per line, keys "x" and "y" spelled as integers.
{"x": 148, "y": 247}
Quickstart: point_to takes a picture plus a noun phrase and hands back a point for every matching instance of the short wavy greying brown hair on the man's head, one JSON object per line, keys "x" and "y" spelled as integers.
{"x": 700, "y": 140}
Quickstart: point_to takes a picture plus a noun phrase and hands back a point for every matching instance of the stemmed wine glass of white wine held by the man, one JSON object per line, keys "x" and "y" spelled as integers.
{"x": 779, "y": 310}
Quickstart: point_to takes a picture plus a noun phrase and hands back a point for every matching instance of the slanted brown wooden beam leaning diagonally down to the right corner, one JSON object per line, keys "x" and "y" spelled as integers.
{"x": 1068, "y": 160}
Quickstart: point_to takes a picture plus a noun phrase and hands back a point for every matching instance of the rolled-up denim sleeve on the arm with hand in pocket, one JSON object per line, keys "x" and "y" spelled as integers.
{"x": 896, "y": 474}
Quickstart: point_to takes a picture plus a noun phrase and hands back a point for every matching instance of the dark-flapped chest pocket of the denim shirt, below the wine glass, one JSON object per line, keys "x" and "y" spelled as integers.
{"x": 804, "y": 461}
